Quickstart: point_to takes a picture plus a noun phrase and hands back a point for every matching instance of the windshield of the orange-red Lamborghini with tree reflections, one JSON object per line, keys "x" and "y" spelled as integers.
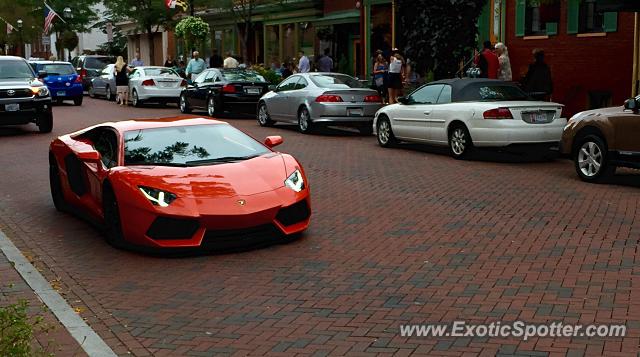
{"x": 189, "y": 145}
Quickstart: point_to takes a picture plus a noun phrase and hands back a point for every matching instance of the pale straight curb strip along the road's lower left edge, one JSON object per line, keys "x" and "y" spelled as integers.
{"x": 88, "y": 339}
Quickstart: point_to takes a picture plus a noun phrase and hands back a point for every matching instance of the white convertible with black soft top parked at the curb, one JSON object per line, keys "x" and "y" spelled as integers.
{"x": 467, "y": 113}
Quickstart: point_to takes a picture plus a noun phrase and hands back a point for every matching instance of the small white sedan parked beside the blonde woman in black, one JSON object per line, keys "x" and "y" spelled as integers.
{"x": 155, "y": 84}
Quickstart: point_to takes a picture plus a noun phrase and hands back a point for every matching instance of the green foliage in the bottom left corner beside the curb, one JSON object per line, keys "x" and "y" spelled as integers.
{"x": 17, "y": 331}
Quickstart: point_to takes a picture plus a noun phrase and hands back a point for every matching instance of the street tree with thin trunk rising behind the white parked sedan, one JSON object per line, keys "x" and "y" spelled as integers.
{"x": 149, "y": 16}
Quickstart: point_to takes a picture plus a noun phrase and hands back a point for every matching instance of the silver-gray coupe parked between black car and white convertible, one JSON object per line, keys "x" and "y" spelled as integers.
{"x": 315, "y": 99}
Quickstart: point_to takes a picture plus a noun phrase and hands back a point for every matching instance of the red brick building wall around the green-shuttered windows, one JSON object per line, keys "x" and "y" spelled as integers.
{"x": 578, "y": 65}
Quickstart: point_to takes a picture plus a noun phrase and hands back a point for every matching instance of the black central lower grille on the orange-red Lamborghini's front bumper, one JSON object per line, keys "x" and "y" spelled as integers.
{"x": 240, "y": 238}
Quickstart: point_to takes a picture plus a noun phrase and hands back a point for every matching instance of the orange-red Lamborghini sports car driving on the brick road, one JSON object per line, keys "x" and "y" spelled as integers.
{"x": 180, "y": 182}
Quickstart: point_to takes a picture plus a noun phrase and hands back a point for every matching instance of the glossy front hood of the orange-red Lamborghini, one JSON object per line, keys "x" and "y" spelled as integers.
{"x": 244, "y": 178}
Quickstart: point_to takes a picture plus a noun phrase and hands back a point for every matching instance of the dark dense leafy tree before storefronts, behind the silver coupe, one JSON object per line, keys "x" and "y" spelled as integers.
{"x": 438, "y": 33}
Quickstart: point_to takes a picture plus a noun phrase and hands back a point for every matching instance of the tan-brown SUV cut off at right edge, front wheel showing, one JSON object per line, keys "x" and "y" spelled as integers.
{"x": 601, "y": 140}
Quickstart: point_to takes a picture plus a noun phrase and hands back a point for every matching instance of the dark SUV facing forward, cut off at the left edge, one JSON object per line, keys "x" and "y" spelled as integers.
{"x": 23, "y": 98}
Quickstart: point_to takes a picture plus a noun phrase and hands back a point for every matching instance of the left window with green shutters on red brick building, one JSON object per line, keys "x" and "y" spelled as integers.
{"x": 541, "y": 17}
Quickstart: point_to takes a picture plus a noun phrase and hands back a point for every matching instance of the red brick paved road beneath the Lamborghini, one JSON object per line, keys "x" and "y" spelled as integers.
{"x": 398, "y": 236}
